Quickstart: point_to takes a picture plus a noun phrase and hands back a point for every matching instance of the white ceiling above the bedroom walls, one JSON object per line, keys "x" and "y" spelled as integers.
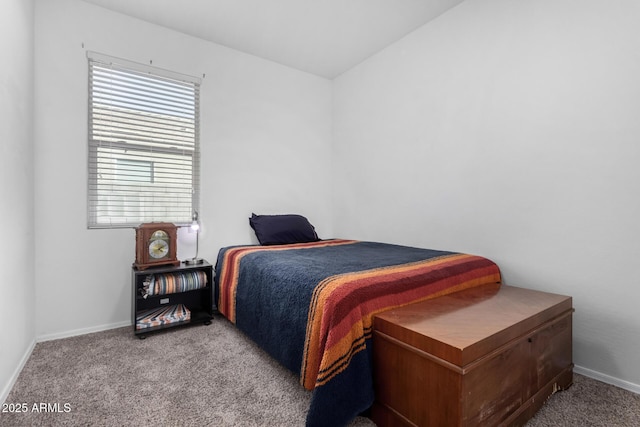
{"x": 322, "y": 37}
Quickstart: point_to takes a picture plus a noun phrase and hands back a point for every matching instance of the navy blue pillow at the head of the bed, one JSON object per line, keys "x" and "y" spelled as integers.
{"x": 282, "y": 229}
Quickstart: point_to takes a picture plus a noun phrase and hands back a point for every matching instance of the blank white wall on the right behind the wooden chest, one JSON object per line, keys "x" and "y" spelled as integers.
{"x": 509, "y": 129}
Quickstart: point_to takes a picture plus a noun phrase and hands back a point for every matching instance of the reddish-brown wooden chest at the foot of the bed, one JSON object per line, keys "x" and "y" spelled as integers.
{"x": 480, "y": 357}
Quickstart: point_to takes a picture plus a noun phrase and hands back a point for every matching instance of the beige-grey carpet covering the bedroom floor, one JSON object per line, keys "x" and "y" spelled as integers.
{"x": 214, "y": 376}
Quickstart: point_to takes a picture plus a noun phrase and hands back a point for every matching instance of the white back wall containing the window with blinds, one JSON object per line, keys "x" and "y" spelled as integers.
{"x": 265, "y": 138}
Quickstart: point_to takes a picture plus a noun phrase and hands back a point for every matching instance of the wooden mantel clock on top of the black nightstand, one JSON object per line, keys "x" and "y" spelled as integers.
{"x": 156, "y": 245}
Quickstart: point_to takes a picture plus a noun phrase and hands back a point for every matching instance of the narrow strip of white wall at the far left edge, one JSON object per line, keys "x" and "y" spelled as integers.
{"x": 17, "y": 288}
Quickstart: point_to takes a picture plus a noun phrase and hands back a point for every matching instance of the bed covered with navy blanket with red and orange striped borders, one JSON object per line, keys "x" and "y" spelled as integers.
{"x": 310, "y": 303}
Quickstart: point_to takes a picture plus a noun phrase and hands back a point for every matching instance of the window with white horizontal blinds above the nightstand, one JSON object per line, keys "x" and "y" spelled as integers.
{"x": 143, "y": 144}
